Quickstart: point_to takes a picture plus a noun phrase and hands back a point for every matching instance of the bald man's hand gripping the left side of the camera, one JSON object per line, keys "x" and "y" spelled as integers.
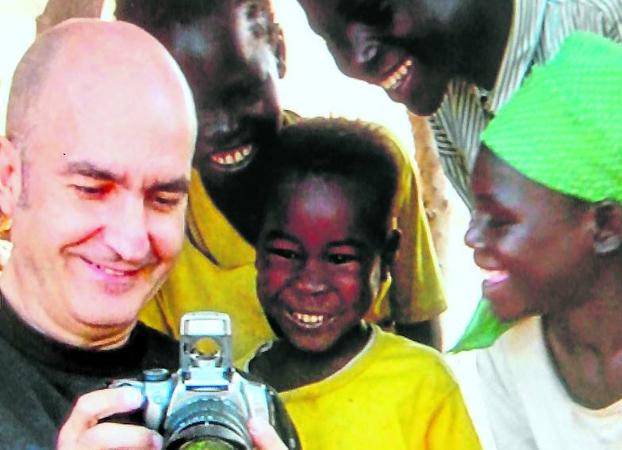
{"x": 82, "y": 430}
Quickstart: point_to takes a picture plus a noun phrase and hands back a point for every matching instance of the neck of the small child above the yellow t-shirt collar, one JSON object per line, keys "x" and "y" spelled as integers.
{"x": 285, "y": 367}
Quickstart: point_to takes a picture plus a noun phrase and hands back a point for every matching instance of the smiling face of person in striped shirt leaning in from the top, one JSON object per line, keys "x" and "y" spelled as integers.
{"x": 404, "y": 46}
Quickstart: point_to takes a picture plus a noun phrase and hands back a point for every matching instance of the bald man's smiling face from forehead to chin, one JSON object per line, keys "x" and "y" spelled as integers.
{"x": 100, "y": 217}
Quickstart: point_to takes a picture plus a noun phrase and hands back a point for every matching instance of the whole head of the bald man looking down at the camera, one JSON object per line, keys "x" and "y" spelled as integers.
{"x": 94, "y": 175}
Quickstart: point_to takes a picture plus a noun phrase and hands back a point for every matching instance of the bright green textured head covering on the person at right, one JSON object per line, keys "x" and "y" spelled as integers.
{"x": 563, "y": 127}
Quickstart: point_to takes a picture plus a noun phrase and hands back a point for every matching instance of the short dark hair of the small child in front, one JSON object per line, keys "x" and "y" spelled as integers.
{"x": 360, "y": 152}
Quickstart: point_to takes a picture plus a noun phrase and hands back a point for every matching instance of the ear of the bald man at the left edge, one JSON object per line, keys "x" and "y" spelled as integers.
{"x": 10, "y": 177}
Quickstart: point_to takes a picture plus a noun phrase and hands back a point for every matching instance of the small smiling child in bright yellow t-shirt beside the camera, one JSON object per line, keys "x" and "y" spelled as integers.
{"x": 325, "y": 245}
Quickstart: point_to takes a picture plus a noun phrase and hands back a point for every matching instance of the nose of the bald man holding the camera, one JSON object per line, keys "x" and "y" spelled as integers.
{"x": 127, "y": 231}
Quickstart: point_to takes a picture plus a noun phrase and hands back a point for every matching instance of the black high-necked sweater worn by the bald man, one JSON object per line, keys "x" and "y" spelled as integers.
{"x": 40, "y": 378}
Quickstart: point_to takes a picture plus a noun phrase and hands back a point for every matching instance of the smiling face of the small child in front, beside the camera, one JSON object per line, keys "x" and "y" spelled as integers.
{"x": 318, "y": 266}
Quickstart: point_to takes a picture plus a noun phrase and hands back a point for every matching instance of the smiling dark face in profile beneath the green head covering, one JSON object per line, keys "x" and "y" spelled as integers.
{"x": 530, "y": 238}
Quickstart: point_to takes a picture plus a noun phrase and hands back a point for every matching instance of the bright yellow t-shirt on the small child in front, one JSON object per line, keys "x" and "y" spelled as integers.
{"x": 395, "y": 394}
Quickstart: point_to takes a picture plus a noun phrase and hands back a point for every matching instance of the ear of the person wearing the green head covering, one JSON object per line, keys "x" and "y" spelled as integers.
{"x": 607, "y": 227}
